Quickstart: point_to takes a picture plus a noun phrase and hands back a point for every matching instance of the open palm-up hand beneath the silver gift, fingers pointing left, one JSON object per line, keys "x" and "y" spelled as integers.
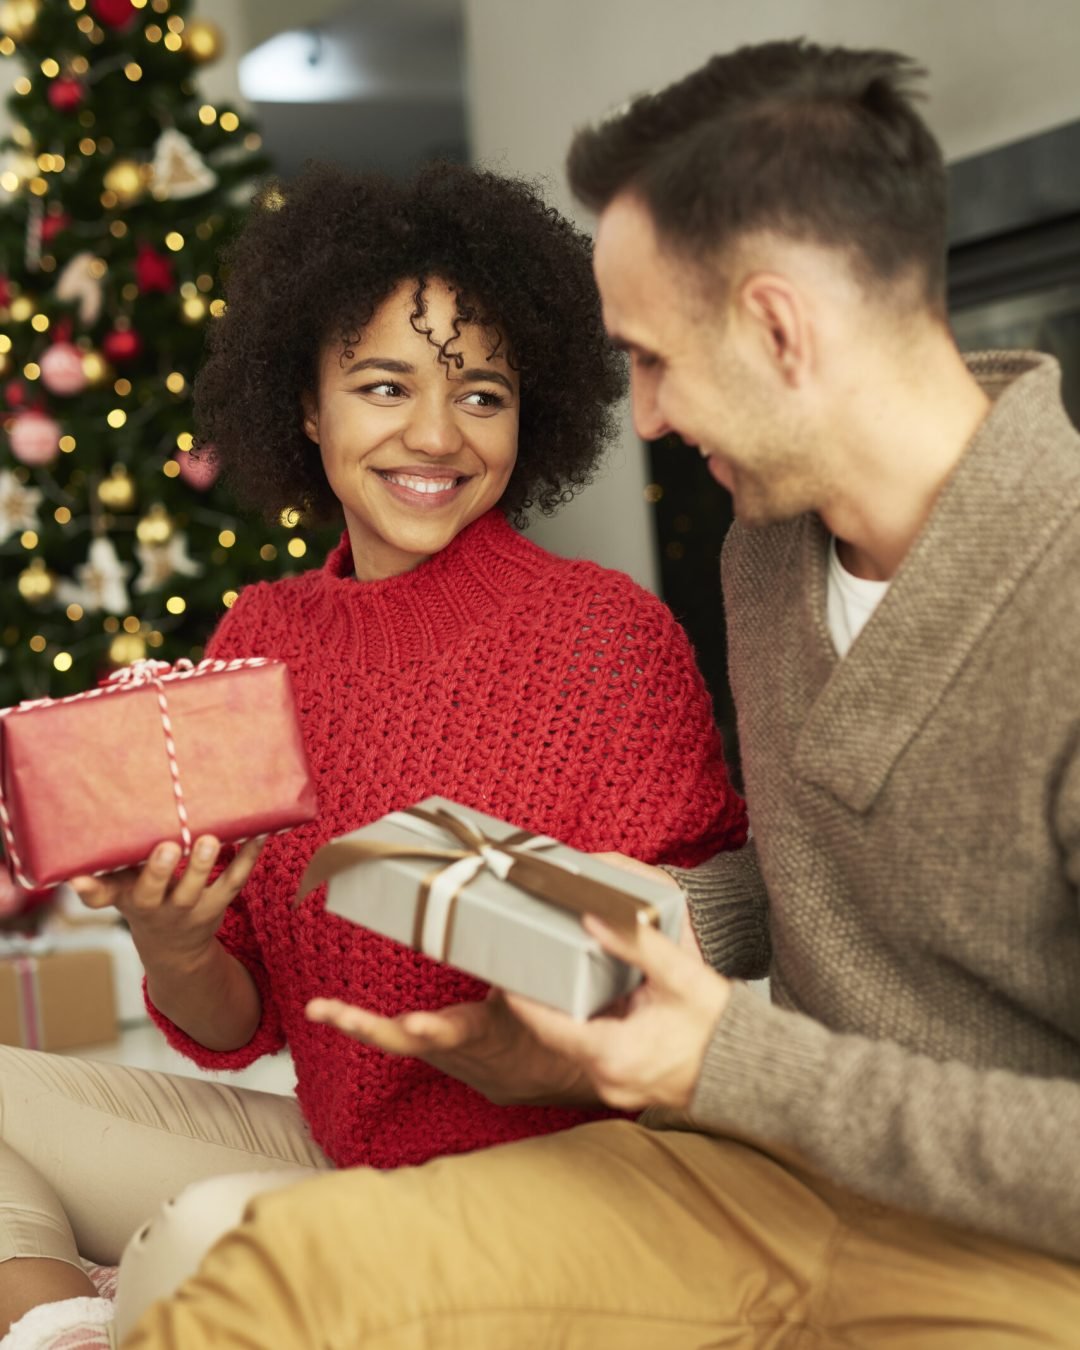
{"x": 481, "y": 1044}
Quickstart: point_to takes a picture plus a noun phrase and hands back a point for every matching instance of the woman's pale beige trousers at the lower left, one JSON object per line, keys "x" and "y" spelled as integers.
{"x": 92, "y": 1151}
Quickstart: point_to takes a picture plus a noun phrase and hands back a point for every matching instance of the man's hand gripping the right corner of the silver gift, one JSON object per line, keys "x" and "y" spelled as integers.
{"x": 650, "y": 1055}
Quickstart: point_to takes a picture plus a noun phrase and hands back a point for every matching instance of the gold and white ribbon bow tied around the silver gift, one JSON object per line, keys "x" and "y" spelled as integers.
{"x": 538, "y": 877}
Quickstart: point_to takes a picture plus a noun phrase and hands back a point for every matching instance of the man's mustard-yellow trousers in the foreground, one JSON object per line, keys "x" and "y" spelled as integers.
{"x": 611, "y": 1236}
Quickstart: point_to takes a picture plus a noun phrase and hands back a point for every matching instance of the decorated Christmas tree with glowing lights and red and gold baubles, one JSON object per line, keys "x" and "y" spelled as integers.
{"x": 119, "y": 188}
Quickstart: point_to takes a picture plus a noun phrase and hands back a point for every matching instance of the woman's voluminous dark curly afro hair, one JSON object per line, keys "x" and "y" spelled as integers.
{"x": 317, "y": 259}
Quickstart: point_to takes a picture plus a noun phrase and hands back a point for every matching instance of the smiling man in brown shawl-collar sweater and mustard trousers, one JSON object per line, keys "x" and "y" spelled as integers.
{"x": 885, "y": 1154}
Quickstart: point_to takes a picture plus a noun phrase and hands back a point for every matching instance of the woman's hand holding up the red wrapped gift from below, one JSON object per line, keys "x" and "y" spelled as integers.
{"x": 172, "y": 921}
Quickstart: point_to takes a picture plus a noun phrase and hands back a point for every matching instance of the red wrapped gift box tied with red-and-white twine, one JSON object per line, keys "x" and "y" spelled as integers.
{"x": 91, "y": 784}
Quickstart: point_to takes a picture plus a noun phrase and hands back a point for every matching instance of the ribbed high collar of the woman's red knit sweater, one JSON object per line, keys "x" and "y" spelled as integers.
{"x": 394, "y": 623}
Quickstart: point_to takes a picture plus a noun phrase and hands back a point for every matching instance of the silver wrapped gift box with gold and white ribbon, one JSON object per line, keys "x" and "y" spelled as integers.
{"x": 493, "y": 901}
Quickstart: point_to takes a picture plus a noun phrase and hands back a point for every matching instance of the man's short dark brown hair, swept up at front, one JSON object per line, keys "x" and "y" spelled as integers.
{"x": 817, "y": 144}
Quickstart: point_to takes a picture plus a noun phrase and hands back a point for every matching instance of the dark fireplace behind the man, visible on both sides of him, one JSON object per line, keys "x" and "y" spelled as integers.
{"x": 1015, "y": 281}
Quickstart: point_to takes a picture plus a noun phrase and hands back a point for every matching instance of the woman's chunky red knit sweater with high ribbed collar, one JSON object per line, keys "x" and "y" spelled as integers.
{"x": 554, "y": 695}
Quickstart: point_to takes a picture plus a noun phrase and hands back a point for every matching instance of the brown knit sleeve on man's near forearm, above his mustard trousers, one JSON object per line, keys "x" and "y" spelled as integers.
{"x": 983, "y": 1150}
